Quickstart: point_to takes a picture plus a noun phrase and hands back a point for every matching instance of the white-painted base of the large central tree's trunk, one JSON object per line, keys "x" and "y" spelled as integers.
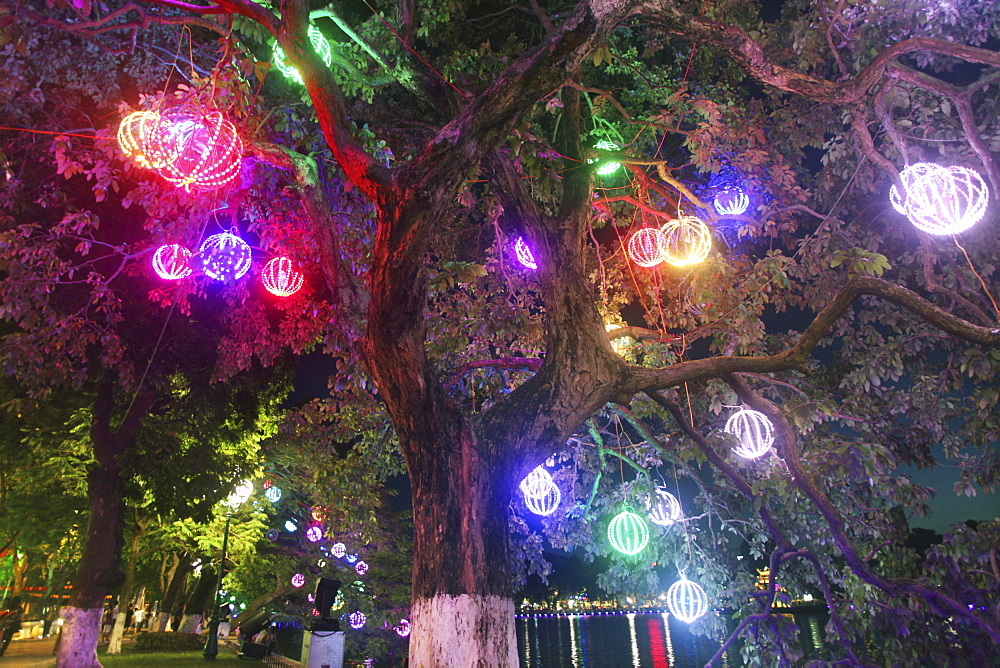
{"x": 463, "y": 632}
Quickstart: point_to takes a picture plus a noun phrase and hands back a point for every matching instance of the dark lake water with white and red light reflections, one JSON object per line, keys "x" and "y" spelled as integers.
{"x": 621, "y": 640}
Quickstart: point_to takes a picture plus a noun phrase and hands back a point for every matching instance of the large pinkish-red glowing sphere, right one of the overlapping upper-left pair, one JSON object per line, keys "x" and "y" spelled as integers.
{"x": 208, "y": 148}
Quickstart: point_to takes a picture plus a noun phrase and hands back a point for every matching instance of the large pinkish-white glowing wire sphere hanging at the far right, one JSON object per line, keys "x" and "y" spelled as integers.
{"x": 941, "y": 200}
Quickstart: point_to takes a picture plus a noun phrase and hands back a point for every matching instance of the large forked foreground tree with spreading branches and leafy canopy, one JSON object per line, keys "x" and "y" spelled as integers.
{"x": 490, "y": 123}
